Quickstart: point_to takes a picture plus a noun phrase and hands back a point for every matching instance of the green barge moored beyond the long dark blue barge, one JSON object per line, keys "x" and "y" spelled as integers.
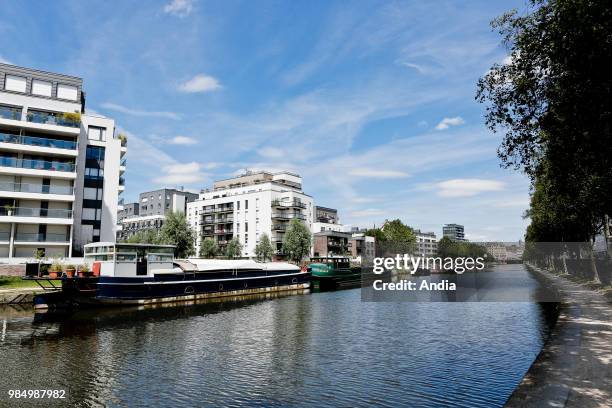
{"x": 333, "y": 272}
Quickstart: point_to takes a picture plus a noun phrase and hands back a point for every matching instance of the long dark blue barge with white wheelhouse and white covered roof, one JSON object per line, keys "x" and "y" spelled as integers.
{"x": 140, "y": 274}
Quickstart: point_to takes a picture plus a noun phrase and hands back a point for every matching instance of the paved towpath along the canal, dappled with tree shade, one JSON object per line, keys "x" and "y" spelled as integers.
{"x": 574, "y": 367}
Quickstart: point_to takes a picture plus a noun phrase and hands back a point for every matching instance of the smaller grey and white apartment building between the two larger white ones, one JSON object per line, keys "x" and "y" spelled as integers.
{"x": 149, "y": 213}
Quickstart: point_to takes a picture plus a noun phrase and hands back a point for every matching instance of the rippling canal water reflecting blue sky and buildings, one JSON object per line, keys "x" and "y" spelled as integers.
{"x": 320, "y": 349}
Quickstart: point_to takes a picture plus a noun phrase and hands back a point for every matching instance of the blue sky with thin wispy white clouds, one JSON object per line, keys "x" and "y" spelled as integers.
{"x": 371, "y": 102}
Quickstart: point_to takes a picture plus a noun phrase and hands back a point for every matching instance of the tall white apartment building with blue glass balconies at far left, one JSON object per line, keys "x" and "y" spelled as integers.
{"x": 60, "y": 169}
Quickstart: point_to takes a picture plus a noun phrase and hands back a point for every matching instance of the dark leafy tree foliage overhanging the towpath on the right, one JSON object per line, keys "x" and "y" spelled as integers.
{"x": 552, "y": 102}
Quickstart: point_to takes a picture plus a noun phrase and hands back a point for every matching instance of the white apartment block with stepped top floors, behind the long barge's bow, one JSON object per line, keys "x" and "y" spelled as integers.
{"x": 249, "y": 205}
